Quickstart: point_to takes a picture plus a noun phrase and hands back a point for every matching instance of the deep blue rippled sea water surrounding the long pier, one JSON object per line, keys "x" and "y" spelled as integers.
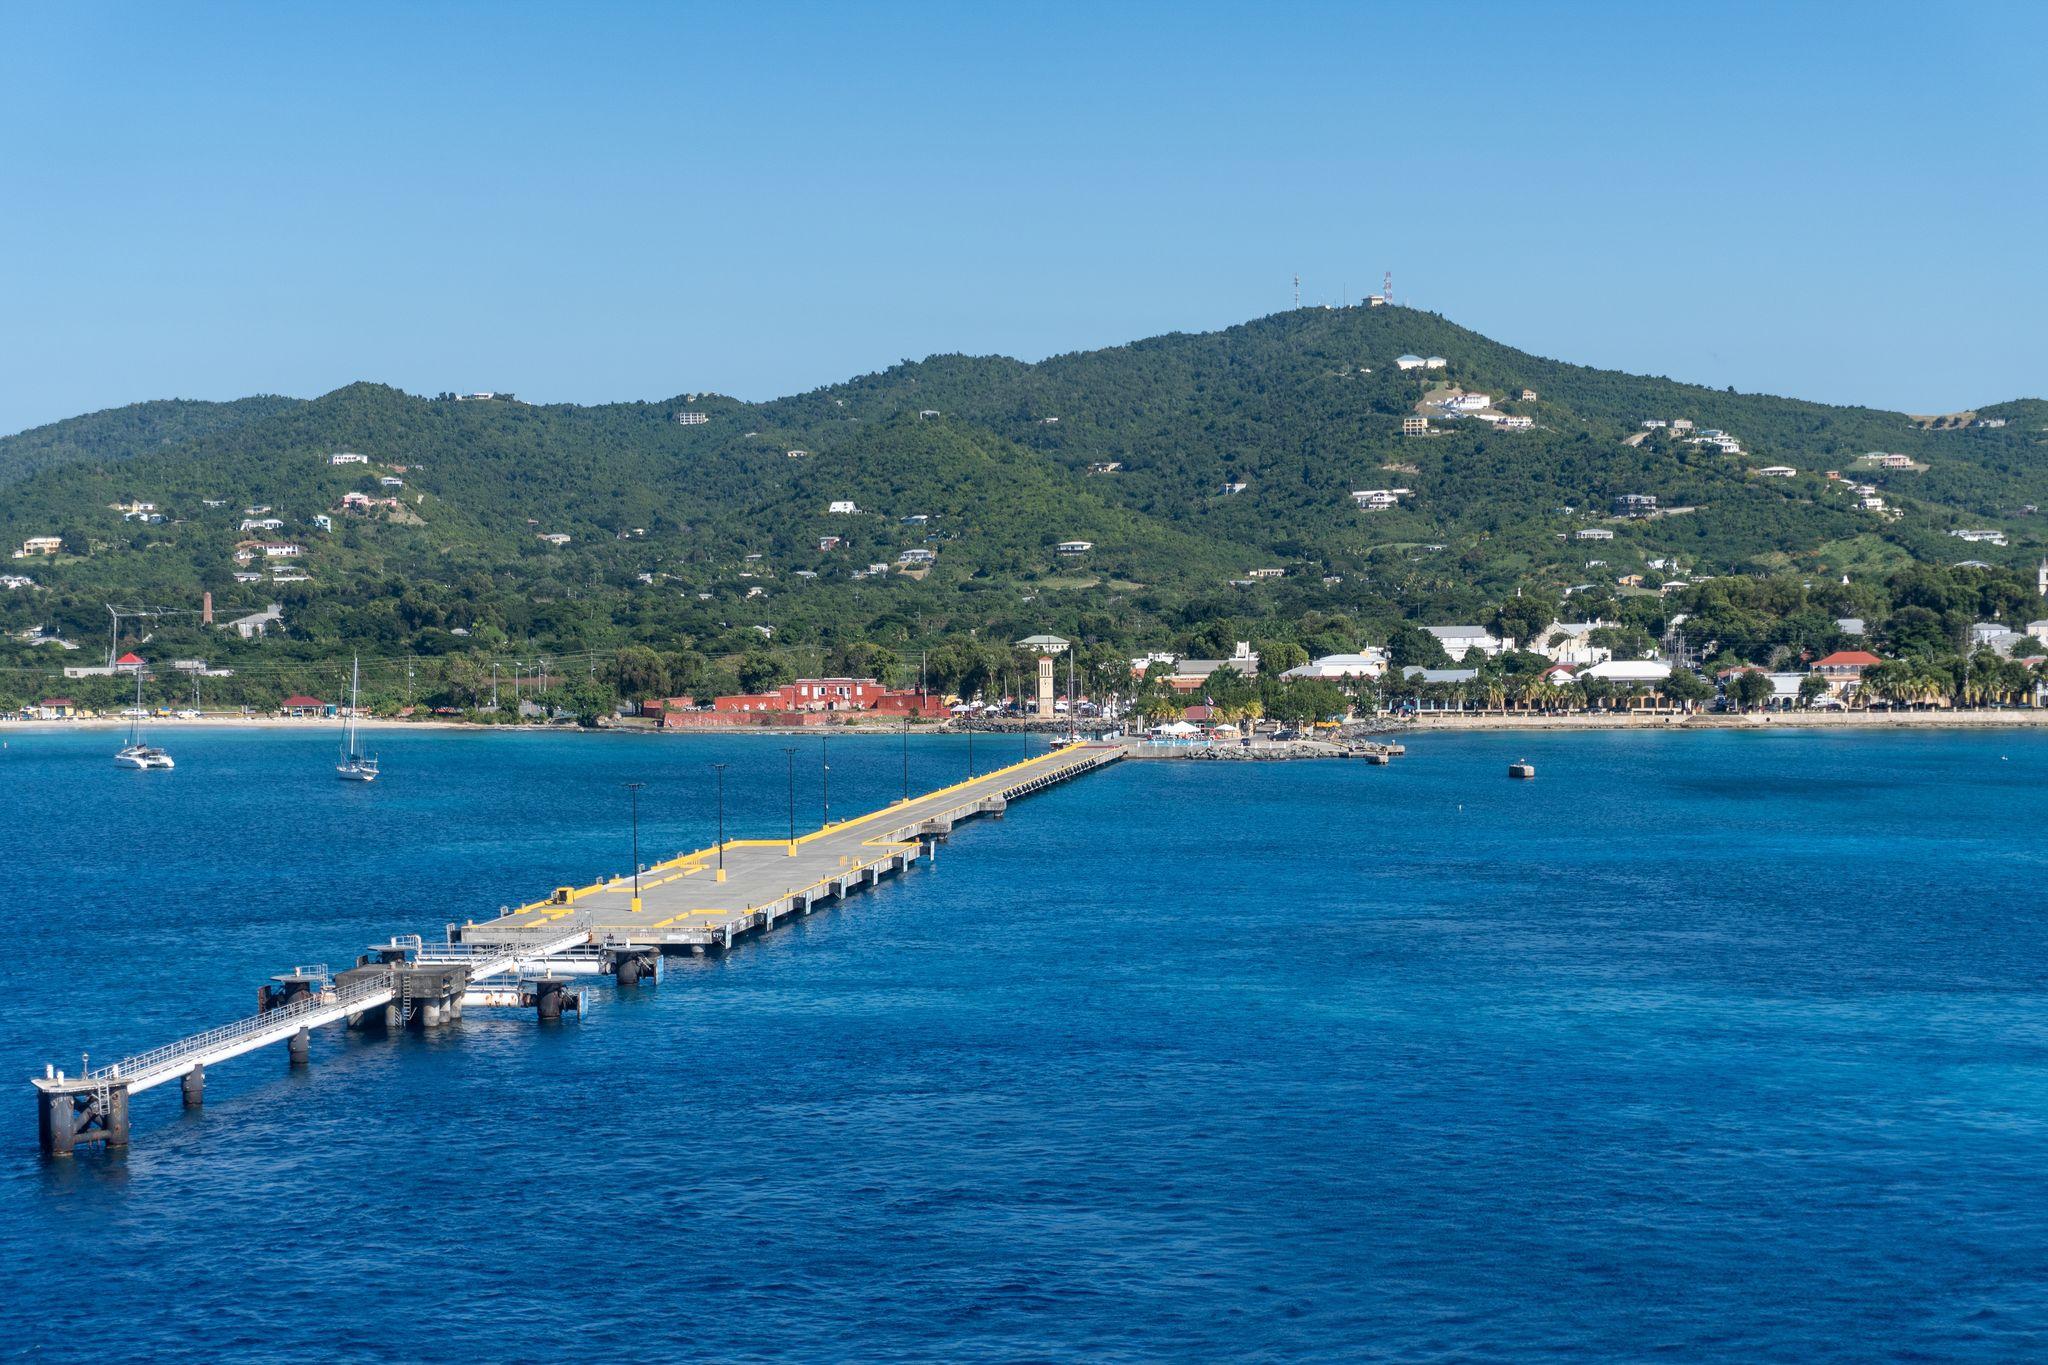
{"x": 1699, "y": 1047}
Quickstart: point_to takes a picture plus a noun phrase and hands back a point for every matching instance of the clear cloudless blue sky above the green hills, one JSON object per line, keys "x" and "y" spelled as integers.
{"x": 591, "y": 204}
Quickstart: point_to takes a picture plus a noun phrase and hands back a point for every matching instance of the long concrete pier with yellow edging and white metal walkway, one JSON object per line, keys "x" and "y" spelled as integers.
{"x": 525, "y": 957}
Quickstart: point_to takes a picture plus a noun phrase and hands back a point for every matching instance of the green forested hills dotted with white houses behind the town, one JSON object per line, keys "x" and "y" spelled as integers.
{"x": 1179, "y": 472}
